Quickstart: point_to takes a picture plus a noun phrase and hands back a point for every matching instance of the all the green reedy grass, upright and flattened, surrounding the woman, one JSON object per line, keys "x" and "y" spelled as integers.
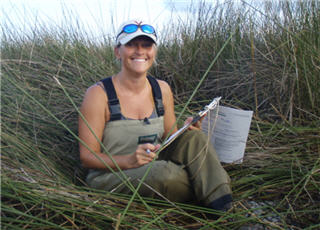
{"x": 271, "y": 65}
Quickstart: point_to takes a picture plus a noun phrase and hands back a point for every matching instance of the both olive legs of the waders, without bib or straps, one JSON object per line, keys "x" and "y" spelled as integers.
{"x": 187, "y": 170}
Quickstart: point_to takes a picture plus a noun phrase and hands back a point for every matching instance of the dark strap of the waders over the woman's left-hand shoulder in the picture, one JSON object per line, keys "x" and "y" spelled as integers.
{"x": 113, "y": 101}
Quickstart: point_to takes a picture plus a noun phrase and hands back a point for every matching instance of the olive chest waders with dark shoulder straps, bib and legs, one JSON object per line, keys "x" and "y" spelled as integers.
{"x": 187, "y": 170}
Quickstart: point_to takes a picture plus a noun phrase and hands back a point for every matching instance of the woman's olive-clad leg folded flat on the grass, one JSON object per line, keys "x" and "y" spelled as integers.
{"x": 165, "y": 178}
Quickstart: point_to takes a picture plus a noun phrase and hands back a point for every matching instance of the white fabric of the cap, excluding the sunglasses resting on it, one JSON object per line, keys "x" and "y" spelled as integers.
{"x": 123, "y": 38}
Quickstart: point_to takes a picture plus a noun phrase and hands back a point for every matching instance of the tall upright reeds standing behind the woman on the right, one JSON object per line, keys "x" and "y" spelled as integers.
{"x": 268, "y": 53}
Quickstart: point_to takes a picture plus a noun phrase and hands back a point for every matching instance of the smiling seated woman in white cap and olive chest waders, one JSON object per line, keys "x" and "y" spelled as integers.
{"x": 131, "y": 113}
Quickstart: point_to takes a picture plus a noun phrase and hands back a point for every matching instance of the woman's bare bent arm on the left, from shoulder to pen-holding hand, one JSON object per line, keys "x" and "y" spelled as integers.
{"x": 95, "y": 110}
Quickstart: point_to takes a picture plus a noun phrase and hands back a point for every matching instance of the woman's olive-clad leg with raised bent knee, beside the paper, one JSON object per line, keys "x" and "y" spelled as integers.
{"x": 210, "y": 181}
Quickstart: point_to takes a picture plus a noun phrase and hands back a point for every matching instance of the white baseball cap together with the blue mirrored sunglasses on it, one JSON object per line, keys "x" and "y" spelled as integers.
{"x": 142, "y": 28}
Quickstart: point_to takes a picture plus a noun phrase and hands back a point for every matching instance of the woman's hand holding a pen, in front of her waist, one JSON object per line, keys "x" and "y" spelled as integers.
{"x": 144, "y": 154}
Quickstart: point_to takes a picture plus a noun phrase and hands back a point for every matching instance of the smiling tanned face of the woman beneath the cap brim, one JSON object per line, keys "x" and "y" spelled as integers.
{"x": 137, "y": 56}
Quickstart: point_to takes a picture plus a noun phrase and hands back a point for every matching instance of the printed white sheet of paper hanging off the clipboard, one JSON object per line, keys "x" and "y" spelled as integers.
{"x": 228, "y": 132}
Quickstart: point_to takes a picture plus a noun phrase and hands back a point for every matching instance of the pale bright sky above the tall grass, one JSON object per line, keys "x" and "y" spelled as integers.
{"x": 97, "y": 18}
